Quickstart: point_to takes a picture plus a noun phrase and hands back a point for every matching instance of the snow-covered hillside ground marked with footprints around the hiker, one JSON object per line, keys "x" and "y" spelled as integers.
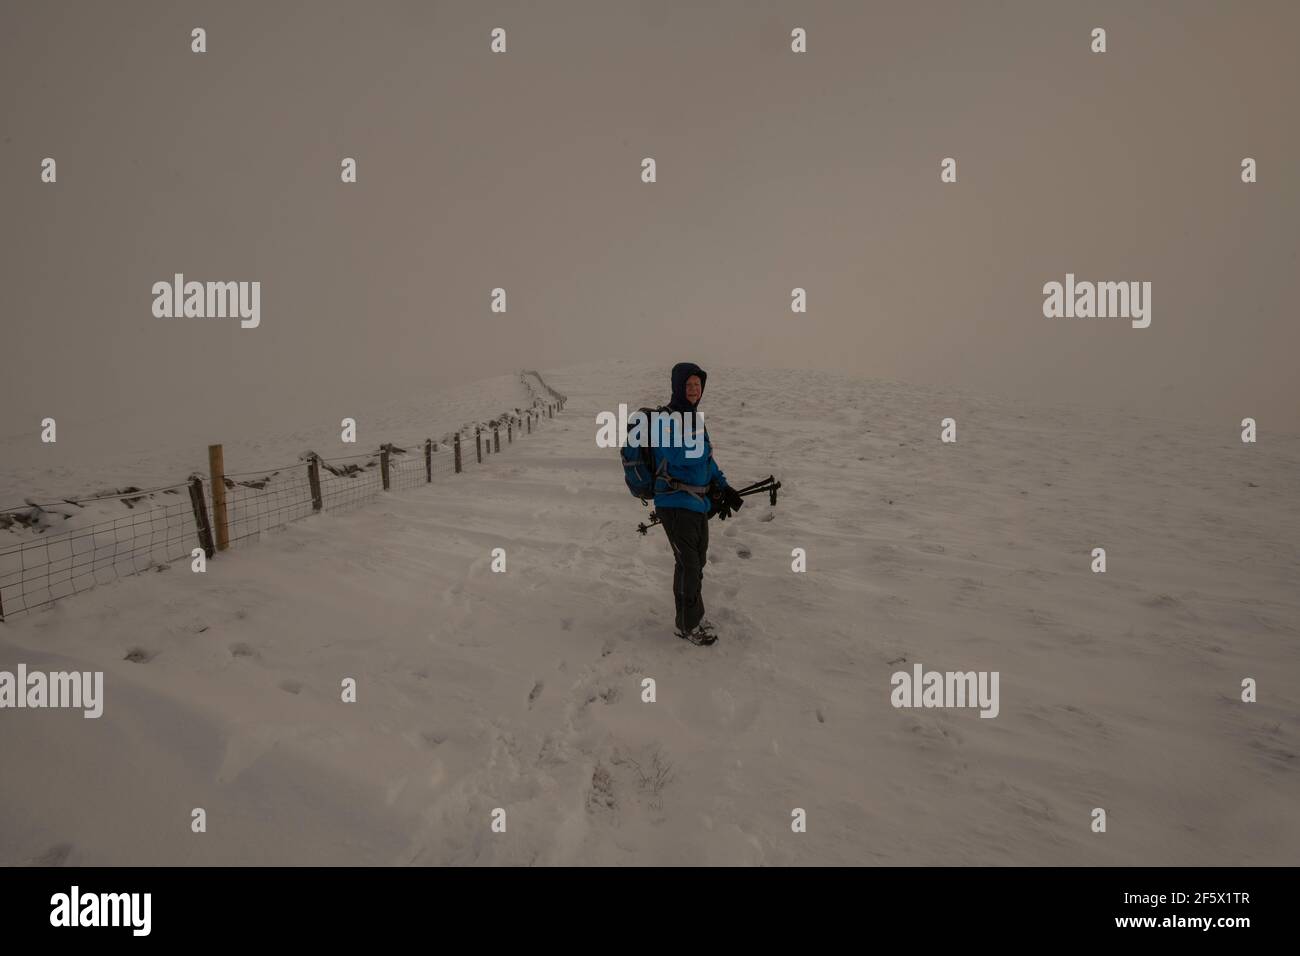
{"x": 523, "y": 690}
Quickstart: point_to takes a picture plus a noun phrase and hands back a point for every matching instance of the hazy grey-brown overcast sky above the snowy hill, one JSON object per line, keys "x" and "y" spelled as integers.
{"x": 523, "y": 171}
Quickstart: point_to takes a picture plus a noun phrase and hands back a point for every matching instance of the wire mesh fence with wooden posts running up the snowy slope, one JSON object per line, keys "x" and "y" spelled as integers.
{"x": 72, "y": 546}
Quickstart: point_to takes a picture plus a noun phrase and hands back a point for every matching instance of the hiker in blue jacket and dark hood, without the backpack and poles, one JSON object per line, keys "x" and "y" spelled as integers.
{"x": 694, "y": 490}
